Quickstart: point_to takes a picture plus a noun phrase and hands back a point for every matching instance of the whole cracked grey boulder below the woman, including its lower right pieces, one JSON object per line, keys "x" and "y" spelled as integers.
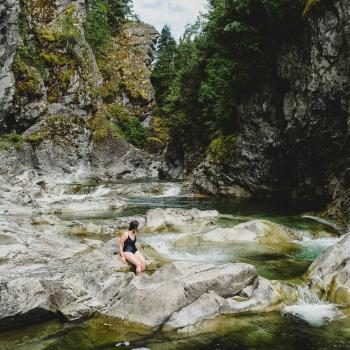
{"x": 184, "y": 293}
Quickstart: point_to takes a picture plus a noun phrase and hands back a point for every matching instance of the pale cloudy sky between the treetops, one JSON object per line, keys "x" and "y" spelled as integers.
{"x": 176, "y": 13}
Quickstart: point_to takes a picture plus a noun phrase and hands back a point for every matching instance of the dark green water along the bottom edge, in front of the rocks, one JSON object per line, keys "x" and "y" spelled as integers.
{"x": 262, "y": 331}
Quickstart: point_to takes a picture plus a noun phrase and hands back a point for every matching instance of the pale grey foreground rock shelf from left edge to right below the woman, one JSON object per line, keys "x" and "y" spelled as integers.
{"x": 45, "y": 274}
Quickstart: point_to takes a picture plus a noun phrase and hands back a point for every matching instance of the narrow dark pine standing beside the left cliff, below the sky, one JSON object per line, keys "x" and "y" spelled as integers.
{"x": 164, "y": 69}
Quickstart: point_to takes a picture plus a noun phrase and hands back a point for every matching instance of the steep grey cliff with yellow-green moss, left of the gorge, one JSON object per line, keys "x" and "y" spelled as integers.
{"x": 65, "y": 103}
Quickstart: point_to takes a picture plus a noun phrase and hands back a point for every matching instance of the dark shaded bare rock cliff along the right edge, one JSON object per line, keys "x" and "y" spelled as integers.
{"x": 294, "y": 131}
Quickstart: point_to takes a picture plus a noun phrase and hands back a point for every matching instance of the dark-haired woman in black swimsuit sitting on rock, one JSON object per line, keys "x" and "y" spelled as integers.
{"x": 128, "y": 250}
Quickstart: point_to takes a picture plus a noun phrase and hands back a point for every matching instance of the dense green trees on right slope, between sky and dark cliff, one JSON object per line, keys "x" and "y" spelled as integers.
{"x": 220, "y": 60}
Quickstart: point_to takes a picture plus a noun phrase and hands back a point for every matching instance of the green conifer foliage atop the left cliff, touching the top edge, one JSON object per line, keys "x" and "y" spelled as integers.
{"x": 104, "y": 18}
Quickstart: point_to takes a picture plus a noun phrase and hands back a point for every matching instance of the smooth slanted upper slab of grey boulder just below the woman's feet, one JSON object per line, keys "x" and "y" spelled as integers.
{"x": 151, "y": 300}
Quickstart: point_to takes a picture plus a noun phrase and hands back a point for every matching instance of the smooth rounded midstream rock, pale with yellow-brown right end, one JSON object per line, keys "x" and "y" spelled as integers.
{"x": 259, "y": 231}
